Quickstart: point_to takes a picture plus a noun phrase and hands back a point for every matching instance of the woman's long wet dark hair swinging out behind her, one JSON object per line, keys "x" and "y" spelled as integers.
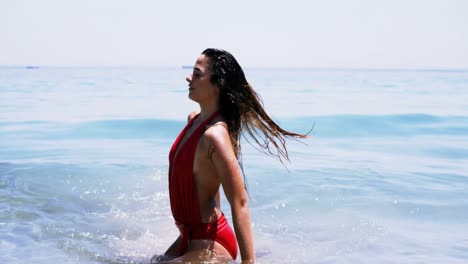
{"x": 242, "y": 107}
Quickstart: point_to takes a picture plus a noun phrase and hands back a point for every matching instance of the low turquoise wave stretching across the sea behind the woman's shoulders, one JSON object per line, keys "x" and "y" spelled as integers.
{"x": 346, "y": 126}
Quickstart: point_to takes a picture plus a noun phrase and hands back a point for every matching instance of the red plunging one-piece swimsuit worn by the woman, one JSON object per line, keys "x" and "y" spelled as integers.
{"x": 184, "y": 199}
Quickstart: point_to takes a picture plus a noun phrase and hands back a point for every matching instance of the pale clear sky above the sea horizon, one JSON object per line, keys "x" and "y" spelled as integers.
{"x": 422, "y": 34}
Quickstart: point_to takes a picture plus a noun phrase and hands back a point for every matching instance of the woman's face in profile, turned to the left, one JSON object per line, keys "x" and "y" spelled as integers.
{"x": 201, "y": 90}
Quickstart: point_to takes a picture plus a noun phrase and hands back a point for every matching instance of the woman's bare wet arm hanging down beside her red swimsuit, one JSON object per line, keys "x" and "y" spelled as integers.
{"x": 227, "y": 168}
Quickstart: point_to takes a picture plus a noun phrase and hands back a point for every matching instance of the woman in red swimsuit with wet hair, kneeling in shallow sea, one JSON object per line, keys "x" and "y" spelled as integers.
{"x": 205, "y": 156}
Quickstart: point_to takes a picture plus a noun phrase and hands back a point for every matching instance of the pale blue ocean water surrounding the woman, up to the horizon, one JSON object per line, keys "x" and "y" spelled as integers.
{"x": 382, "y": 179}
